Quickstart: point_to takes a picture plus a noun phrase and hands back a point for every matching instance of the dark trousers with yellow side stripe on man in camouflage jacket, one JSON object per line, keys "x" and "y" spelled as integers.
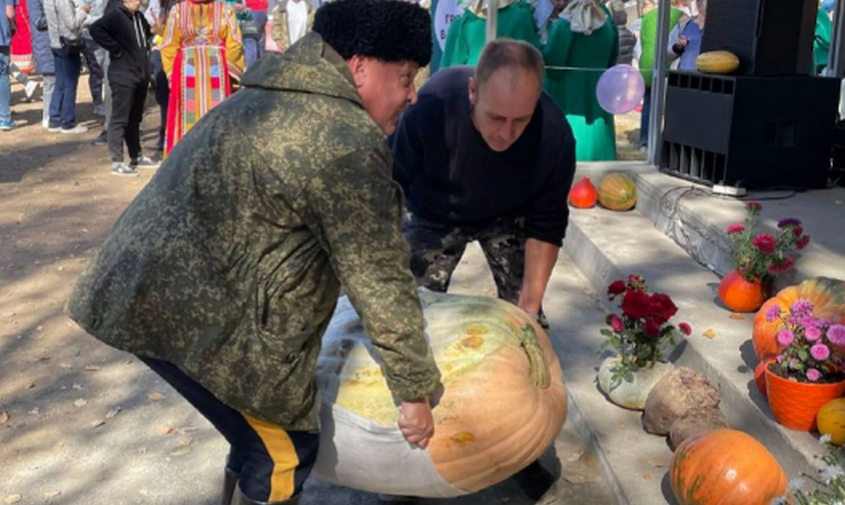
{"x": 273, "y": 463}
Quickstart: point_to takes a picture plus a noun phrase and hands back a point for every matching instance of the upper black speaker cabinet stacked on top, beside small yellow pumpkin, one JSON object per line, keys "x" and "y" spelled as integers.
{"x": 771, "y": 37}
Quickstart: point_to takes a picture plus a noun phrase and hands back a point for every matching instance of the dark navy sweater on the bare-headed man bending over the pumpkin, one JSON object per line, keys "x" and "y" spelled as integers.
{"x": 451, "y": 176}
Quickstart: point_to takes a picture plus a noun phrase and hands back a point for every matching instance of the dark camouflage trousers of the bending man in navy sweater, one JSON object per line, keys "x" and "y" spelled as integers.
{"x": 436, "y": 250}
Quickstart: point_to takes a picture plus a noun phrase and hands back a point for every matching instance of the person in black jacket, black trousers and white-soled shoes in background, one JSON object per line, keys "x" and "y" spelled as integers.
{"x": 124, "y": 33}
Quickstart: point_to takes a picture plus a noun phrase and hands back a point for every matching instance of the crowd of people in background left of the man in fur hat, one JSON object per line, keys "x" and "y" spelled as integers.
{"x": 192, "y": 53}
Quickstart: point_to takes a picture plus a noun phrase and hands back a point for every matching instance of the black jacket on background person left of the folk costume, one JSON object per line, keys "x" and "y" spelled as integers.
{"x": 125, "y": 35}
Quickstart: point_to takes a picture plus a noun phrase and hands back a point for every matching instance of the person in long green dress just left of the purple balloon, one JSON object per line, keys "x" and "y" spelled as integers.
{"x": 585, "y": 42}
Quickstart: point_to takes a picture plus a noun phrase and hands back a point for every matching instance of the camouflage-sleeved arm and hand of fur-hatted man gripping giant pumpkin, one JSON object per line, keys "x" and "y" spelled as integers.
{"x": 357, "y": 211}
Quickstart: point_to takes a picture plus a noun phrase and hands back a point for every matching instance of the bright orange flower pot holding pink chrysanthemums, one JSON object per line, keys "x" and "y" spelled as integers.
{"x": 795, "y": 404}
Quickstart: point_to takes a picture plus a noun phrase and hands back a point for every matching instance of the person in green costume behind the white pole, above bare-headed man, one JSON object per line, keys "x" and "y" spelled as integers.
{"x": 467, "y": 34}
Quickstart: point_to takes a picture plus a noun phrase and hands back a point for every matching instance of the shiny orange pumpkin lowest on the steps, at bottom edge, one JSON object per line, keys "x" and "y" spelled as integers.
{"x": 725, "y": 467}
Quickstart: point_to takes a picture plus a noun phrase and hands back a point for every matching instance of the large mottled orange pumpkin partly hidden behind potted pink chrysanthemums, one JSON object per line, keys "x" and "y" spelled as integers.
{"x": 827, "y": 296}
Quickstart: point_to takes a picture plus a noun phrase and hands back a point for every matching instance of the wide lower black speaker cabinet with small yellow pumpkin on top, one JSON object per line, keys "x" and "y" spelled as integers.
{"x": 752, "y": 132}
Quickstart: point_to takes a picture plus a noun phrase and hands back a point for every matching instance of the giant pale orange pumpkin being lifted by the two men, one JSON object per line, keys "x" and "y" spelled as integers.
{"x": 503, "y": 401}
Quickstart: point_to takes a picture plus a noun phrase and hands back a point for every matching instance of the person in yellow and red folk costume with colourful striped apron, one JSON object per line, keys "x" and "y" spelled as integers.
{"x": 202, "y": 50}
